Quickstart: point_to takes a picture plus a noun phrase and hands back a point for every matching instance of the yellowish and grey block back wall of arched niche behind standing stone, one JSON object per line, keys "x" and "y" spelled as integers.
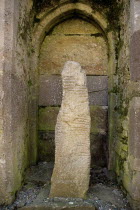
{"x": 77, "y": 40}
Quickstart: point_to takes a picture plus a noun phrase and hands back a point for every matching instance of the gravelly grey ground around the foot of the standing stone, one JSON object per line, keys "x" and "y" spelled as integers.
{"x": 104, "y": 194}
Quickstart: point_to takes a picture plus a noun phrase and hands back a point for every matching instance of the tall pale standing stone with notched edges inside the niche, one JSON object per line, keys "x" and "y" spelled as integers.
{"x": 72, "y": 136}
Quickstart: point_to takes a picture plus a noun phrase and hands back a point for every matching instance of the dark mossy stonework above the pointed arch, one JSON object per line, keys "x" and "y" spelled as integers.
{"x": 111, "y": 8}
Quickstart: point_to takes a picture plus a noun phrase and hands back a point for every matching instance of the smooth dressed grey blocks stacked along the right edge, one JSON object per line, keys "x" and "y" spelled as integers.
{"x": 134, "y": 108}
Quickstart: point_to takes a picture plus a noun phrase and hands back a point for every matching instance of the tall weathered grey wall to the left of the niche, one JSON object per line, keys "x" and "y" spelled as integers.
{"x": 15, "y": 150}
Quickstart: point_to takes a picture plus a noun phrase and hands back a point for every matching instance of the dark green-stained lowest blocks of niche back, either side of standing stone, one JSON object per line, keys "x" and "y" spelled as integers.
{"x": 98, "y": 137}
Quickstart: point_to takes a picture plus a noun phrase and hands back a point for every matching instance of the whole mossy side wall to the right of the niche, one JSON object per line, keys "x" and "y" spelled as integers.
{"x": 125, "y": 134}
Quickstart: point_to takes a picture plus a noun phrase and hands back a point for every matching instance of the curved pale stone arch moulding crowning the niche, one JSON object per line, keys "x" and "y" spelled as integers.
{"x": 52, "y": 18}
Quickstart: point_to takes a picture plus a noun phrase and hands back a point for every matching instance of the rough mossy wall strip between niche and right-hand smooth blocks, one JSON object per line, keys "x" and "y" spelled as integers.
{"x": 118, "y": 93}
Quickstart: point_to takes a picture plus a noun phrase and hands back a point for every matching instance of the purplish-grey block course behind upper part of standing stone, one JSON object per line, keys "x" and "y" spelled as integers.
{"x": 50, "y": 93}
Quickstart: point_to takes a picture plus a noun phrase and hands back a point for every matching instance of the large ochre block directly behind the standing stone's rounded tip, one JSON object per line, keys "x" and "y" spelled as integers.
{"x": 89, "y": 51}
